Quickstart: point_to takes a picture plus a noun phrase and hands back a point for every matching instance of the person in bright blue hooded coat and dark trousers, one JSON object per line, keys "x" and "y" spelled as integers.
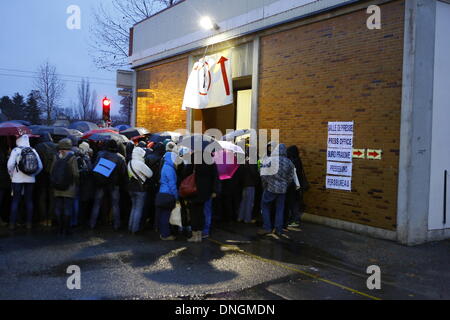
{"x": 168, "y": 193}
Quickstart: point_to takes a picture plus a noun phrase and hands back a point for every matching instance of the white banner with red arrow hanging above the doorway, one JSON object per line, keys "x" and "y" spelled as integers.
{"x": 210, "y": 83}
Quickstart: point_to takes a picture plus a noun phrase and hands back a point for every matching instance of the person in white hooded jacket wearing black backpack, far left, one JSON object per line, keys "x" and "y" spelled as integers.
{"x": 25, "y": 158}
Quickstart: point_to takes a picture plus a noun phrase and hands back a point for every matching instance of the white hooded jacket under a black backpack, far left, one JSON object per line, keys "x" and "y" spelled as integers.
{"x": 16, "y": 175}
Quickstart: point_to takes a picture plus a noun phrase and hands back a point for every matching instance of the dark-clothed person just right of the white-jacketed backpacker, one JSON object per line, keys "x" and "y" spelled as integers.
{"x": 47, "y": 151}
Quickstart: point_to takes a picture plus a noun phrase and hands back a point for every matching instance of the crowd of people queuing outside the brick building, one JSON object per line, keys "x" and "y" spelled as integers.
{"x": 70, "y": 183}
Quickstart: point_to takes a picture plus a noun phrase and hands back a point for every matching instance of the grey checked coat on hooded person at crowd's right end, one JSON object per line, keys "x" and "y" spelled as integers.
{"x": 277, "y": 171}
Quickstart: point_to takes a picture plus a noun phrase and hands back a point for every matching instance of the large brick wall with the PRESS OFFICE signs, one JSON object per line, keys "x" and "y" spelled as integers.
{"x": 338, "y": 70}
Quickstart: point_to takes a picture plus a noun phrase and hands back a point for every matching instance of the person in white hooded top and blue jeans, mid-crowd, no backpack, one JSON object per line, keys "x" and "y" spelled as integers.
{"x": 138, "y": 173}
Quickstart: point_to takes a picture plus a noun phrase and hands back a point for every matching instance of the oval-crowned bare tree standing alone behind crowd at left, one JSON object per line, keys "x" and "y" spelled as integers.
{"x": 50, "y": 89}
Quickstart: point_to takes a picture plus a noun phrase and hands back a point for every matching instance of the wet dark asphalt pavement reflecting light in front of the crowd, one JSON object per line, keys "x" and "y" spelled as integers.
{"x": 311, "y": 262}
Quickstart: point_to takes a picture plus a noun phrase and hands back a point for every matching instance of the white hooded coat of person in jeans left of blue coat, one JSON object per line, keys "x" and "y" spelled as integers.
{"x": 138, "y": 172}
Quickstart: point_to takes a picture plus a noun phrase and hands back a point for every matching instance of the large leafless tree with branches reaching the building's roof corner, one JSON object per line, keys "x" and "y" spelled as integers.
{"x": 110, "y": 34}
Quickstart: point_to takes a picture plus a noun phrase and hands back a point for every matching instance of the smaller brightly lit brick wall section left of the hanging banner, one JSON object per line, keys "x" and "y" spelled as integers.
{"x": 160, "y": 96}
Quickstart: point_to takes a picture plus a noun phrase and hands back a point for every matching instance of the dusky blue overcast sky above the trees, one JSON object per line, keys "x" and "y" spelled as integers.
{"x": 33, "y": 31}
